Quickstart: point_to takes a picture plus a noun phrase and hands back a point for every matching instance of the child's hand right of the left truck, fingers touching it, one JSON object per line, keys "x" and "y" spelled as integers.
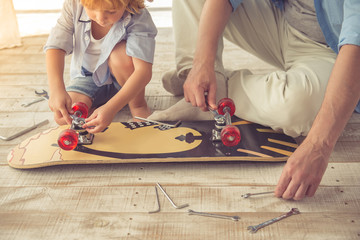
{"x": 99, "y": 120}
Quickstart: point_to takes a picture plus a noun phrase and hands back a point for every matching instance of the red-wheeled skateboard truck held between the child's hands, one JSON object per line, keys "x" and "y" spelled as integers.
{"x": 69, "y": 139}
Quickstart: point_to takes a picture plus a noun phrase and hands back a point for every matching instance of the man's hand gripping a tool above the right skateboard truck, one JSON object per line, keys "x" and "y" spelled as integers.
{"x": 201, "y": 79}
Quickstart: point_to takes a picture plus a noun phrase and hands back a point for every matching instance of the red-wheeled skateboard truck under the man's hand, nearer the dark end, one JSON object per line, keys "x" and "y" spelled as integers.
{"x": 224, "y": 131}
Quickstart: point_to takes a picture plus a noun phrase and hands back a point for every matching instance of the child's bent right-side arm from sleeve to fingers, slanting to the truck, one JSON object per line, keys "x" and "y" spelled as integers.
{"x": 103, "y": 116}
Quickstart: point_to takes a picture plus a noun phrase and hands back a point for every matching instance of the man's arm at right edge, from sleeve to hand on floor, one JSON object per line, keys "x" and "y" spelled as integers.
{"x": 305, "y": 168}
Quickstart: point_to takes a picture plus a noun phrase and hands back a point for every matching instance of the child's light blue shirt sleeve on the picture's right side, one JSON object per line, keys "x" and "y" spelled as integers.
{"x": 141, "y": 33}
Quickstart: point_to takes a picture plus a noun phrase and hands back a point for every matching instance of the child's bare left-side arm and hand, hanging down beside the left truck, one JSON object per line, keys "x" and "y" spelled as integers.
{"x": 59, "y": 100}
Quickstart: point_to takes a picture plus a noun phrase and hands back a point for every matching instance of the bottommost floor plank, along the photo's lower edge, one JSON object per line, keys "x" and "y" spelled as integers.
{"x": 115, "y": 225}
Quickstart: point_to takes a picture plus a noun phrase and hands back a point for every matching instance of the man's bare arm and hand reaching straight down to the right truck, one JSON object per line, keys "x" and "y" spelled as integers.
{"x": 201, "y": 78}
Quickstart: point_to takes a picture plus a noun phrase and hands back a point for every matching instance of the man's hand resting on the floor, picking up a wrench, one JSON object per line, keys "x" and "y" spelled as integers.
{"x": 303, "y": 171}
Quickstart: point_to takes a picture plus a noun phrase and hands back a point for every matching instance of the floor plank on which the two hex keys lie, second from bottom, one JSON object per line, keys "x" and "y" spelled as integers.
{"x": 141, "y": 199}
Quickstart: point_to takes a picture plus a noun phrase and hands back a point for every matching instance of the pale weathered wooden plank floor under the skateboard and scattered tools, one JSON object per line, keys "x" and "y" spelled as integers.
{"x": 112, "y": 201}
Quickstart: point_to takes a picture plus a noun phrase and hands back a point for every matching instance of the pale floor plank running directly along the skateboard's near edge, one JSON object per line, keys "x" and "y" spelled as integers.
{"x": 171, "y": 174}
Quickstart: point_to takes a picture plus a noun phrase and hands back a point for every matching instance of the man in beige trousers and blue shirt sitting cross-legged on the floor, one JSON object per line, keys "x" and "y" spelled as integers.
{"x": 314, "y": 44}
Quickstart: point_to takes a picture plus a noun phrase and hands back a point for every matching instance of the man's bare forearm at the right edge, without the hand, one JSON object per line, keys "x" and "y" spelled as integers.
{"x": 342, "y": 95}
